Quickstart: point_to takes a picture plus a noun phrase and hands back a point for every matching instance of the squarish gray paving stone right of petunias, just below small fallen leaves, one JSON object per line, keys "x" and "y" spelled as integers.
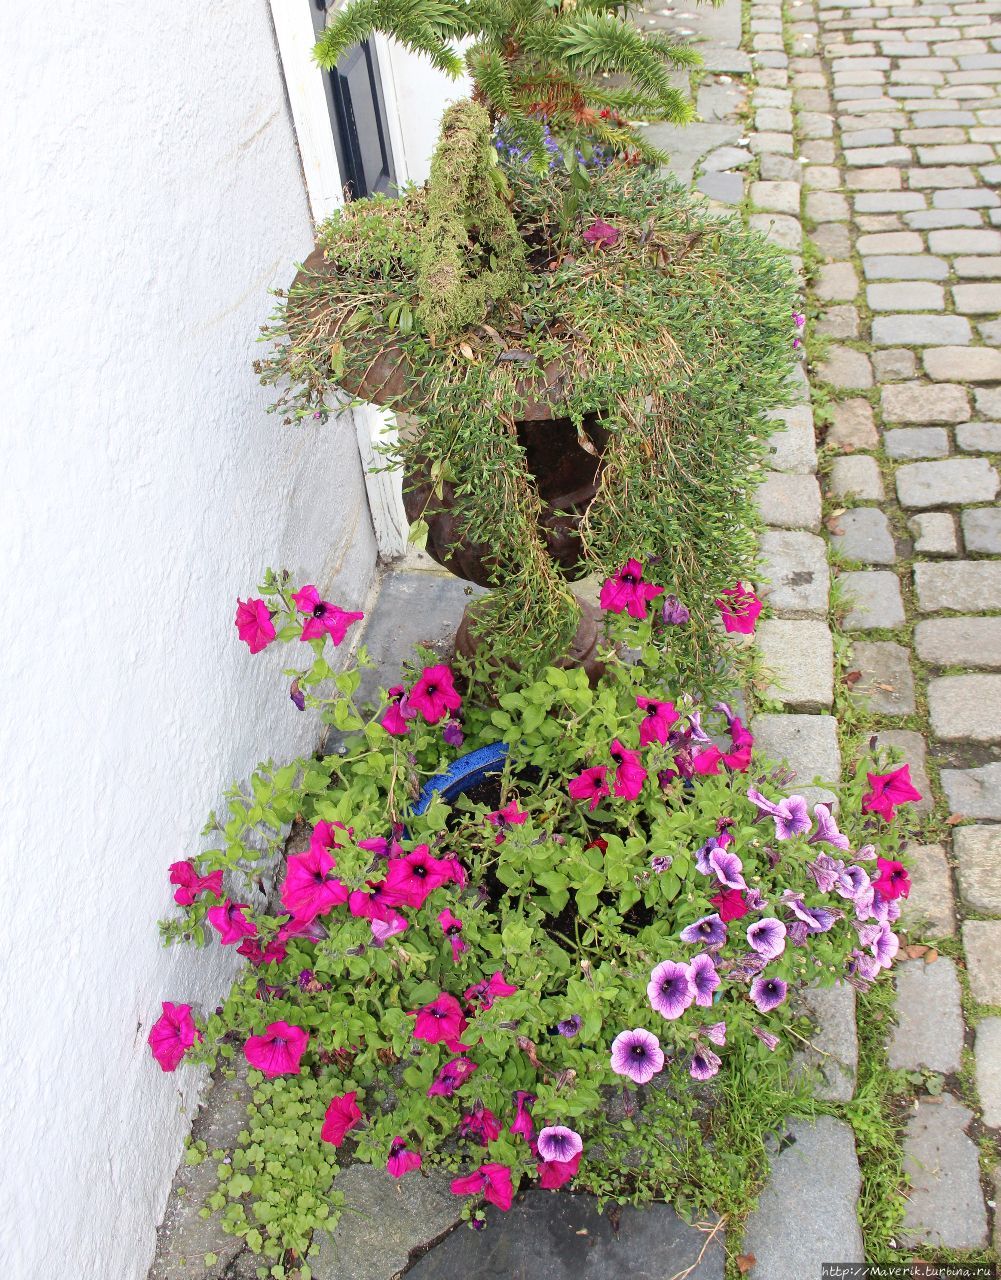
{"x": 930, "y": 1030}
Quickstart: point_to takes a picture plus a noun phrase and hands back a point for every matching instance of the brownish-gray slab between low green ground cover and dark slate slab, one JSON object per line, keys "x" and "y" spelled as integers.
{"x": 385, "y": 1222}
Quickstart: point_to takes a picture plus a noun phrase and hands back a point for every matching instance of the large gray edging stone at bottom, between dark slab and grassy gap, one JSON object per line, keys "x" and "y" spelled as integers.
{"x": 807, "y": 1214}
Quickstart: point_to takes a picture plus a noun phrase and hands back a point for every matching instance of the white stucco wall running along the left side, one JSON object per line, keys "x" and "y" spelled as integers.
{"x": 150, "y": 198}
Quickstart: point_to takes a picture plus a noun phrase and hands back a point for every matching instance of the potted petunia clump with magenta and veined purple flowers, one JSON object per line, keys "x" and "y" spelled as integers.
{"x": 581, "y": 973}
